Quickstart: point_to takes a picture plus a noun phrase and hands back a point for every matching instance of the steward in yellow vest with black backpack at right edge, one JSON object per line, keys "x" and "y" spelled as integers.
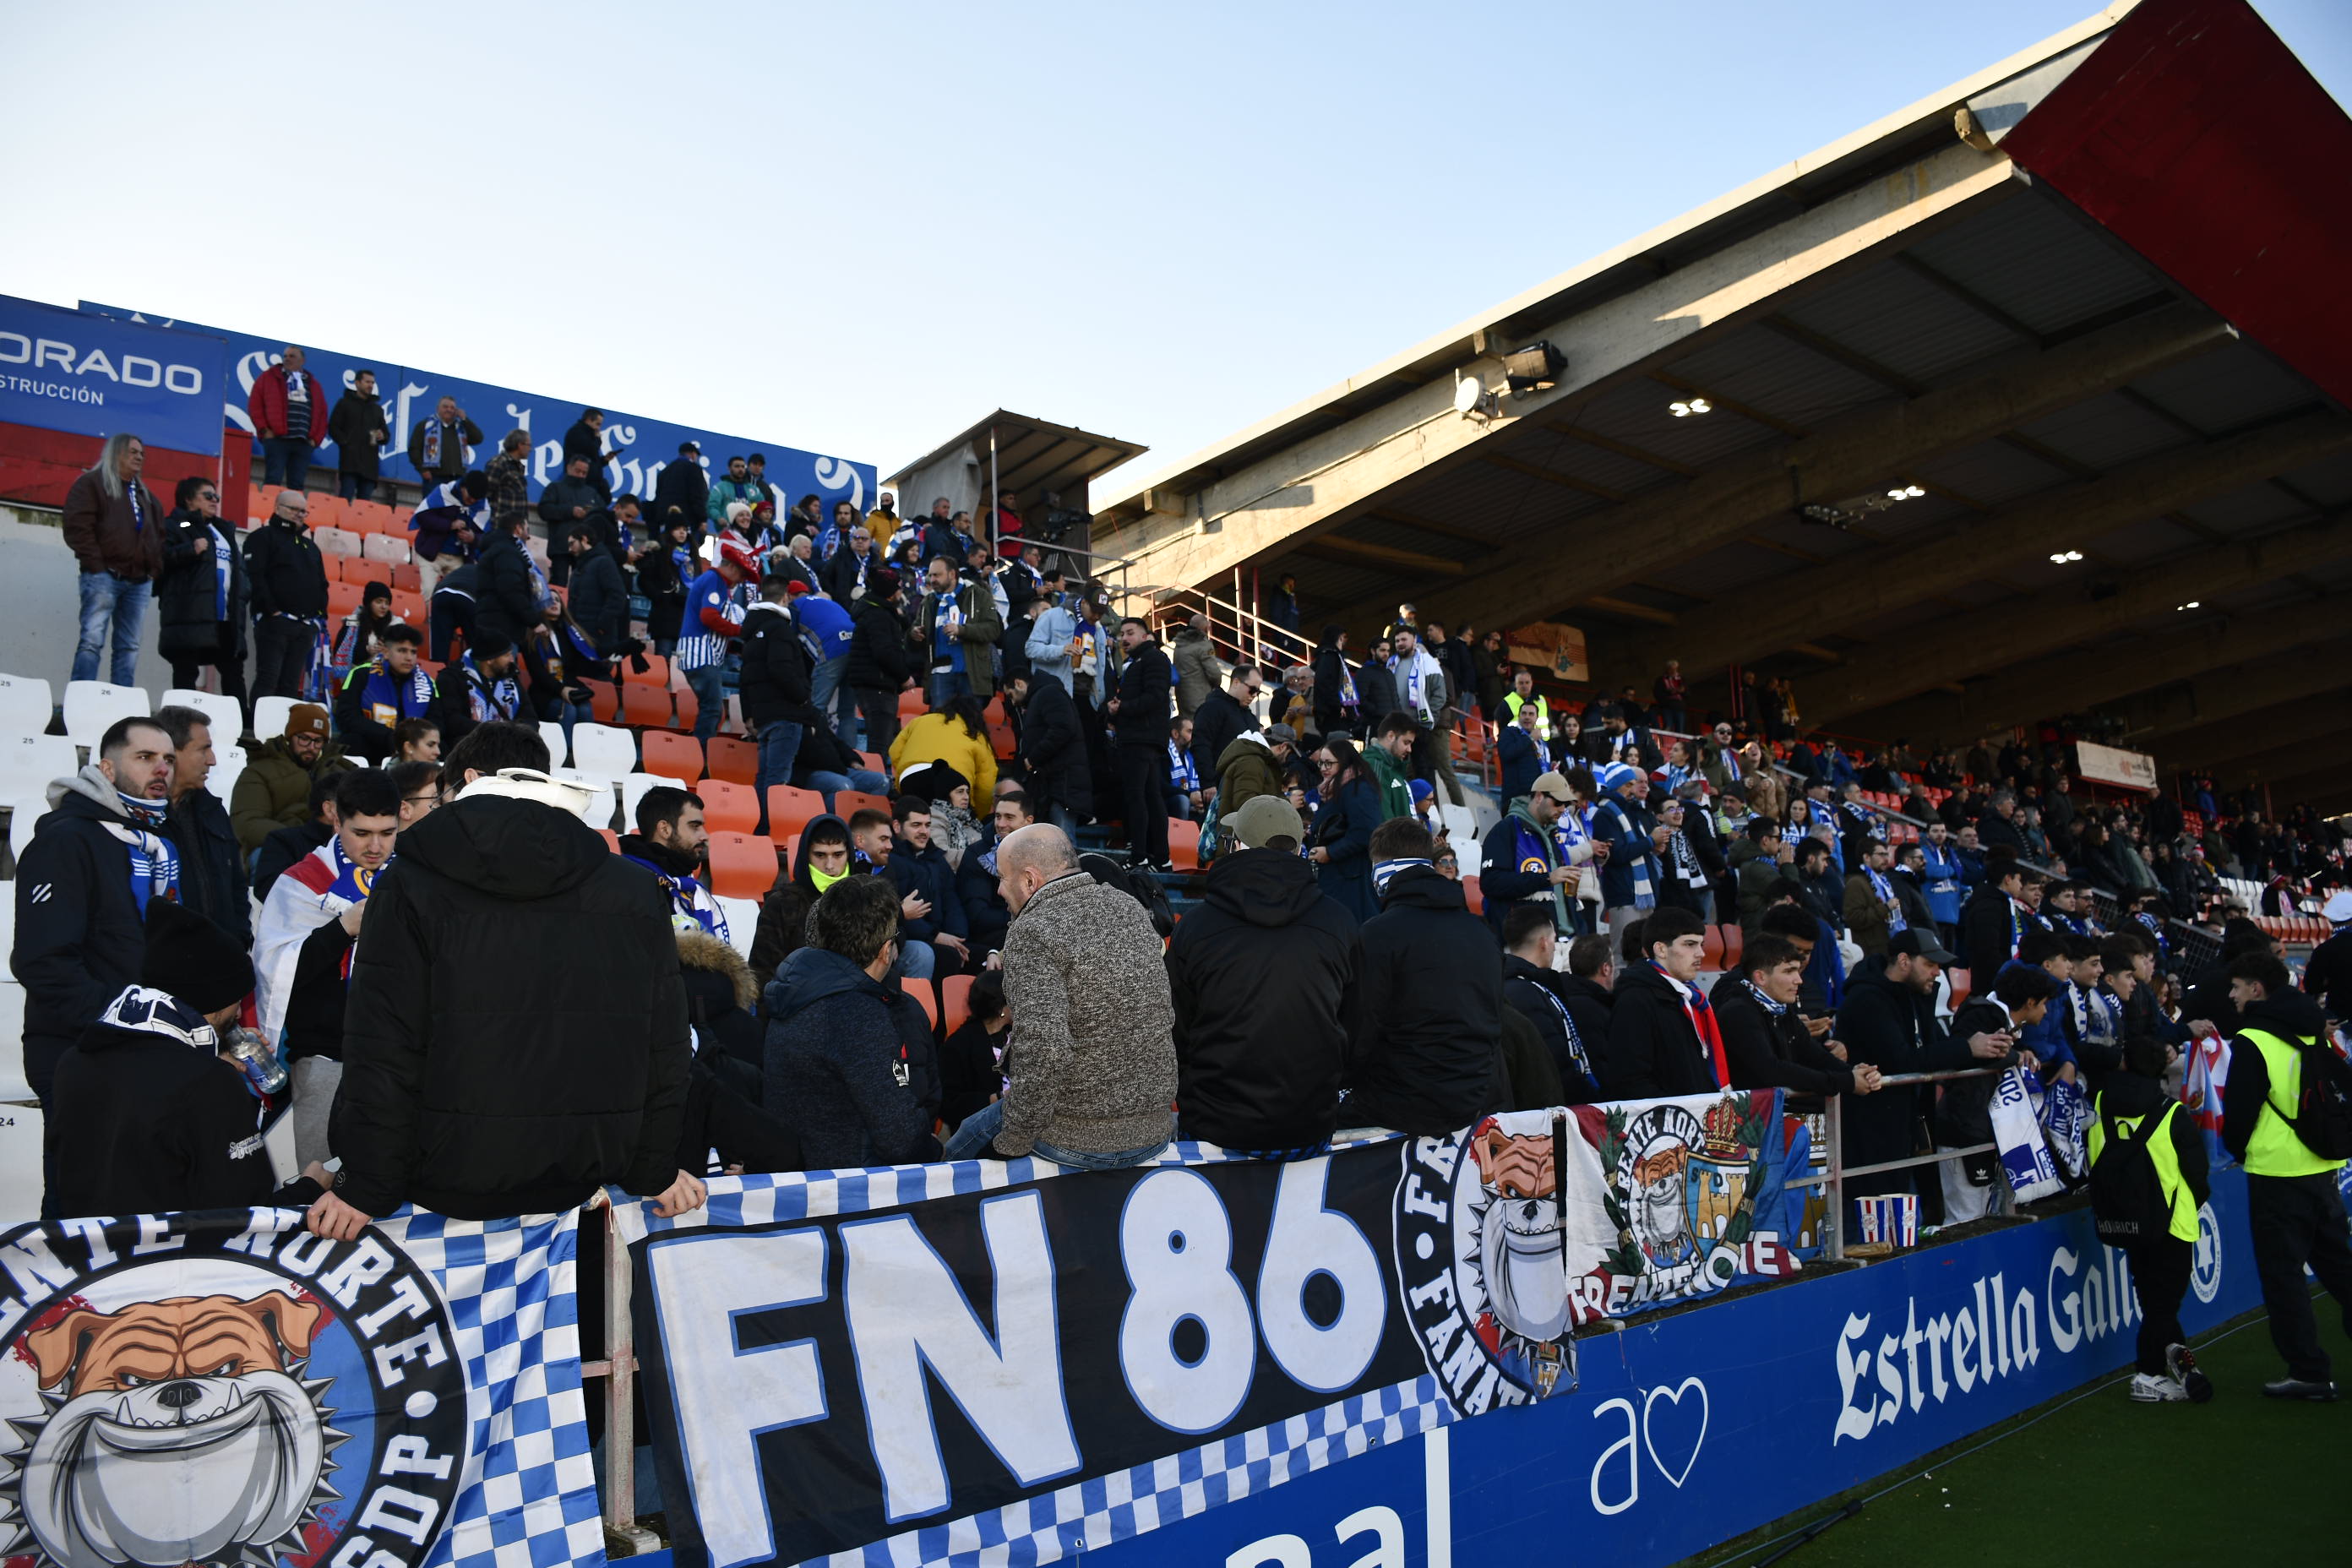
{"x": 2292, "y": 1202}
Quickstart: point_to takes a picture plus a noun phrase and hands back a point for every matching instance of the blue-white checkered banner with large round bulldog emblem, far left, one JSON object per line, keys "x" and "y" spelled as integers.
{"x": 227, "y": 1388}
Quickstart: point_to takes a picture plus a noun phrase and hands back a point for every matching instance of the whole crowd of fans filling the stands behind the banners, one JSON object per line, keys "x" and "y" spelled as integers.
{"x": 460, "y": 998}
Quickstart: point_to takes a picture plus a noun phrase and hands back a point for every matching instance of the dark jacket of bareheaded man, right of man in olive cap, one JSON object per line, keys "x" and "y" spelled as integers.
{"x": 1431, "y": 1036}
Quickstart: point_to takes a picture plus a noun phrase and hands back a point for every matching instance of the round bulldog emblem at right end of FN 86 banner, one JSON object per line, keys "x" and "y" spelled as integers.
{"x": 1481, "y": 1259}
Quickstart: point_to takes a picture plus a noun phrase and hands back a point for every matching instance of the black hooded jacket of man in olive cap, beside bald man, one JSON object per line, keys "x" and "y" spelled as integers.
{"x": 1267, "y": 979}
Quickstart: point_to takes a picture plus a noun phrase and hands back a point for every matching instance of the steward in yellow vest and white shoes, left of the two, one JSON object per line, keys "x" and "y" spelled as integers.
{"x": 2149, "y": 1181}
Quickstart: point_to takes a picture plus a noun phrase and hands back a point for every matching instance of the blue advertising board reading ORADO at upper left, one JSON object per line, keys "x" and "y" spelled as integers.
{"x": 88, "y": 375}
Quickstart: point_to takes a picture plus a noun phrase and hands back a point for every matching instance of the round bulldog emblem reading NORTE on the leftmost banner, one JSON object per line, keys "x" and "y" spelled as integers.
{"x": 222, "y": 1391}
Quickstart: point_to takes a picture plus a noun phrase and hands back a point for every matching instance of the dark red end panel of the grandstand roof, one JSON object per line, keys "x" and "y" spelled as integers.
{"x": 2205, "y": 145}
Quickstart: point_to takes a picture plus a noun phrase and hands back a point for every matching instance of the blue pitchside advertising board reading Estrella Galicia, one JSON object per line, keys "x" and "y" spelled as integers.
{"x": 1692, "y": 1428}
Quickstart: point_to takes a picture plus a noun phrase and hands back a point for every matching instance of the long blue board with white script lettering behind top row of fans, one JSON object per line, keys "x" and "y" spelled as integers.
{"x": 639, "y": 448}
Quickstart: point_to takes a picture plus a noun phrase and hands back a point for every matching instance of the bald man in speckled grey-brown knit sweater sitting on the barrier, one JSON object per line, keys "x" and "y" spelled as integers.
{"x": 1095, "y": 1071}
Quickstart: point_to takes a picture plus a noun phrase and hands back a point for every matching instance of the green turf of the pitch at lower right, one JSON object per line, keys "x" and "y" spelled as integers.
{"x": 2099, "y": 1480}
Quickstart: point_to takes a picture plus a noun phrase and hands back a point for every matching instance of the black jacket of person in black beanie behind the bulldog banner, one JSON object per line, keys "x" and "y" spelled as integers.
{"x": 149, "y": 1125}
